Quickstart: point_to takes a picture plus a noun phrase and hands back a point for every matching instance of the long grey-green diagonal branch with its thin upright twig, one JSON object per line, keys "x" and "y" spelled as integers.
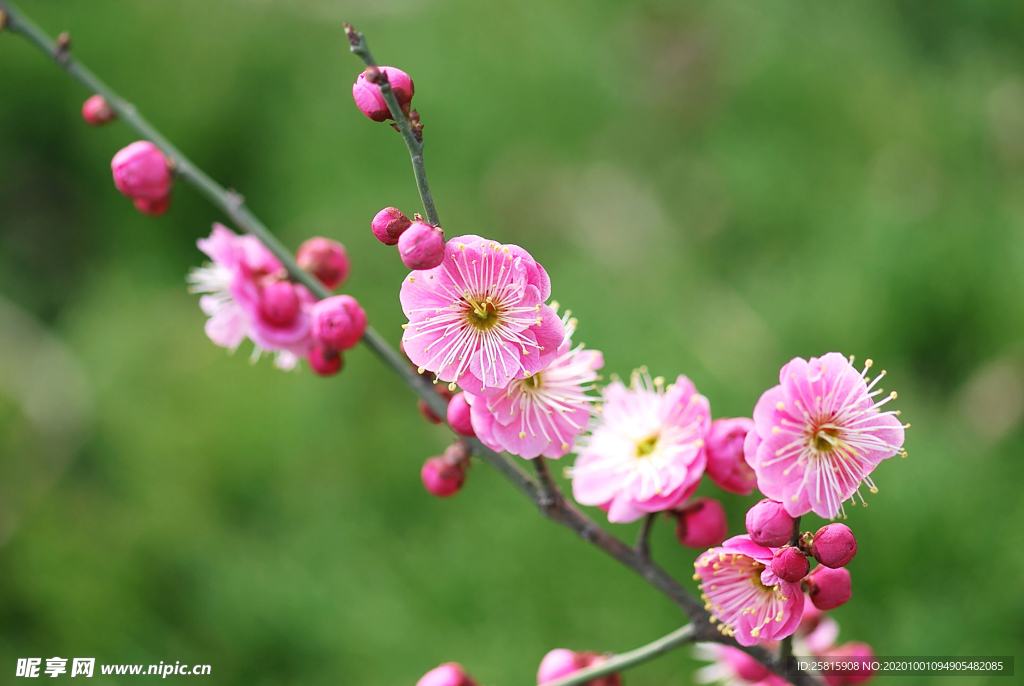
{"x": 233, "y": 205}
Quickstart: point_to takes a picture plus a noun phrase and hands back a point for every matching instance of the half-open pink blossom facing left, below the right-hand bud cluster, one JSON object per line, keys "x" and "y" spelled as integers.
{"x": 749, "y": 601}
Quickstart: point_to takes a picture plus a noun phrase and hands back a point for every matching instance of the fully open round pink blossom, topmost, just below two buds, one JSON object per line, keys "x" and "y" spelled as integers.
{"x": 479, "y": 319}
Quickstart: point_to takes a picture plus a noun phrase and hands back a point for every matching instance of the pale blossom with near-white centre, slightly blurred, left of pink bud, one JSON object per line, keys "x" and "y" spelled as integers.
{"x": 647, "y": 453}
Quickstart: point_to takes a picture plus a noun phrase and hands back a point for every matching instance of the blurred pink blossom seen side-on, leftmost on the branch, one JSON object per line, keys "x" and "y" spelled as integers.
{"x": 234, "y": 286}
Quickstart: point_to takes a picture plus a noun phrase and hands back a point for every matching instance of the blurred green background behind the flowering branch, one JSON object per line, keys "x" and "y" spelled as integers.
{"x": 715, "y": 188}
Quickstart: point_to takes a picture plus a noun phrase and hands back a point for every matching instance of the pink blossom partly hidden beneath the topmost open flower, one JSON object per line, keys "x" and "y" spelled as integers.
{"x": 544, "y": 413}
